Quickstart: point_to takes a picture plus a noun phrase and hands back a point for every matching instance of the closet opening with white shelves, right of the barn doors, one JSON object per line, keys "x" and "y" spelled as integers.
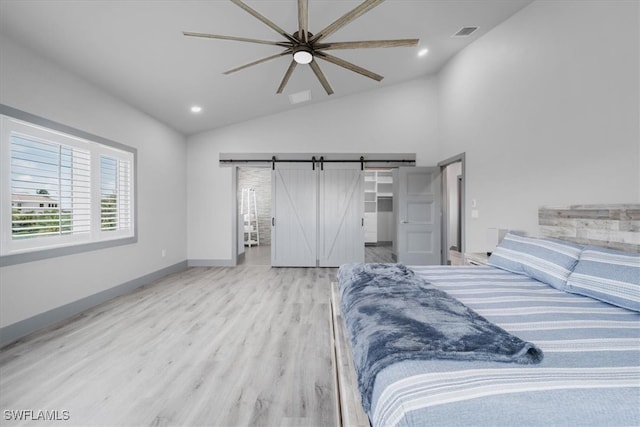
{"x": 379, "y": 228}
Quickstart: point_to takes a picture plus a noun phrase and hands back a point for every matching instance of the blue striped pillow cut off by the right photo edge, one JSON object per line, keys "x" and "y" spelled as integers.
{"x": 607, "y": 275}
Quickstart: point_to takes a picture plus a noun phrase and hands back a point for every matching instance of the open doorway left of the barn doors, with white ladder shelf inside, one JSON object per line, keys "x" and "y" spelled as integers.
{"x": 253, "y": 198}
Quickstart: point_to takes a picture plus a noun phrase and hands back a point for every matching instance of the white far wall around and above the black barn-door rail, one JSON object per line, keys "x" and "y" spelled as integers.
{"x": 400, "y": 118}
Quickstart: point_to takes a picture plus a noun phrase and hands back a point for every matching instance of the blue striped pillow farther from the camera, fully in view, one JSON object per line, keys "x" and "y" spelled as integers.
{"x": 548, "y": 260}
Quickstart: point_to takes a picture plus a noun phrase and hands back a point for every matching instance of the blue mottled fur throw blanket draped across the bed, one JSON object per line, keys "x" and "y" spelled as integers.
{"x": 391, "y": 315}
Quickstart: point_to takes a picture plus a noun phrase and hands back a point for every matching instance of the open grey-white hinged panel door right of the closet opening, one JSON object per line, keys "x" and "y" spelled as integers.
{"x": 419, "y": 215}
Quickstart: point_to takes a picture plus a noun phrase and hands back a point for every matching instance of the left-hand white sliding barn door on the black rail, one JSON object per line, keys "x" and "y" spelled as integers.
{"x": 294, "y": 216}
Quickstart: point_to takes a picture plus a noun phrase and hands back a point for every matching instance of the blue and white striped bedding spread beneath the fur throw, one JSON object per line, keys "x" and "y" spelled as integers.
{"x": 590, "y": 375}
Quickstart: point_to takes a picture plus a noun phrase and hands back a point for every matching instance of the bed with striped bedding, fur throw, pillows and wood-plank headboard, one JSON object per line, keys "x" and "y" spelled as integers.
{"x": 575, "y": 312}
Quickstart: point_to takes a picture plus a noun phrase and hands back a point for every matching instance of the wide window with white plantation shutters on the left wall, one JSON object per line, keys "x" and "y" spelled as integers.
{"x": 62, "y": 190}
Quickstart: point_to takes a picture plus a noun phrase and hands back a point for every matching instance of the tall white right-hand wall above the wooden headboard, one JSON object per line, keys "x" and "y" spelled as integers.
{"x": 546, "y": 108}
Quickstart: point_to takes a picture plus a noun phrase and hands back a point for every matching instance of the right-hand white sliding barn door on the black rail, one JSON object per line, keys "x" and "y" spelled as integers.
{"x": 341, "y": 212}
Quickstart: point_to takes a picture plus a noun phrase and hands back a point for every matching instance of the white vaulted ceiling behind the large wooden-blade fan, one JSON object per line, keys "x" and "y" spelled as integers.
{"x": 136, "y": 49}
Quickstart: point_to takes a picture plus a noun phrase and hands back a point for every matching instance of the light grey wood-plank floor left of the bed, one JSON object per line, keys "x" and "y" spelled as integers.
{"x": 242, "y": 346}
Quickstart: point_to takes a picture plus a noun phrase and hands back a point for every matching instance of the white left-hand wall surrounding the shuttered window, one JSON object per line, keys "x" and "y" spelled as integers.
{"x": 32, "y": 84}
